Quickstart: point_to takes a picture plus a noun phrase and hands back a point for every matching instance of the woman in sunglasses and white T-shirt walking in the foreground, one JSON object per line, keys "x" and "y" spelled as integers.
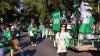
{"x": 60, "y": 36}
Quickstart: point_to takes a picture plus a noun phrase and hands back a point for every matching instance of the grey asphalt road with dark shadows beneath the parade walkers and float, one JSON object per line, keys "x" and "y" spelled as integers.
{"x": 45, "y": 48}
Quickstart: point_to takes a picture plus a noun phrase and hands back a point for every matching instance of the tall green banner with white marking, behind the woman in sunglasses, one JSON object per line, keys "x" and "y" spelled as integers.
{"x": 56, "y": 21}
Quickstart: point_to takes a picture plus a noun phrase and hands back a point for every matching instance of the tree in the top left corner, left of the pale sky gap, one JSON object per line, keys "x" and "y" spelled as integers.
{"x": 7, "y": 7}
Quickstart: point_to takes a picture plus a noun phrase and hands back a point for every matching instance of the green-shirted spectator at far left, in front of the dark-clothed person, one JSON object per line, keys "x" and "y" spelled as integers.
{"x": 7, "y": 37}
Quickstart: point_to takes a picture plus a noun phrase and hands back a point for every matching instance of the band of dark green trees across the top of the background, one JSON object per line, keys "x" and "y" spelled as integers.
{"x": 40, "y": 7}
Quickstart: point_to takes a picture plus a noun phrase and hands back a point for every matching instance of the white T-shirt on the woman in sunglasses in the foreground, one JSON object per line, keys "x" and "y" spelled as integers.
{"x": 61, "y": 46}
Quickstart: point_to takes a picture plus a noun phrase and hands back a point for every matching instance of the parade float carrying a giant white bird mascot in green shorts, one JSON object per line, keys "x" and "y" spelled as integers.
{"x": 82, "y": 20}
